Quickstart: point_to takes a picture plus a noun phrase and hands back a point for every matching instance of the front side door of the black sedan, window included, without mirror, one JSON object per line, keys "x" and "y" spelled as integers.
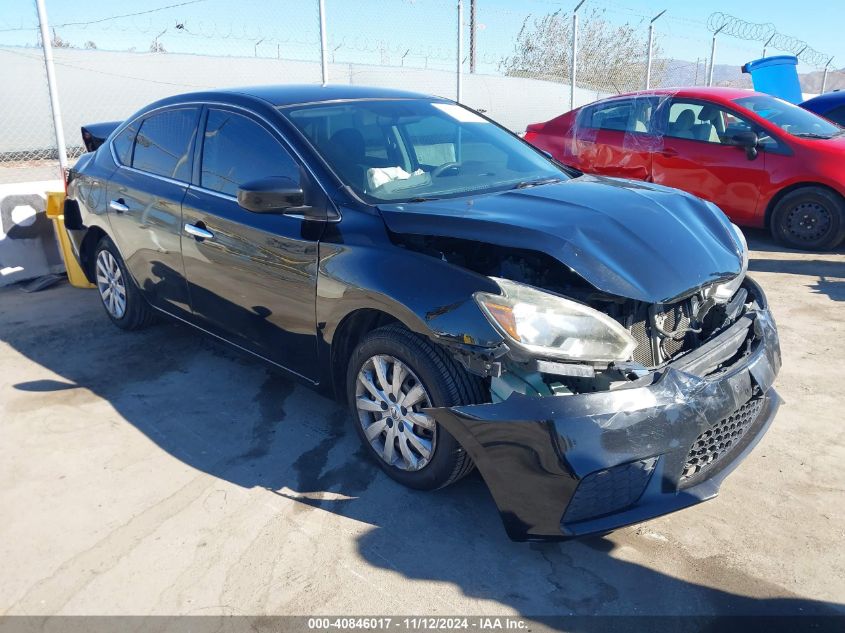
{"x": 253, "y": 280}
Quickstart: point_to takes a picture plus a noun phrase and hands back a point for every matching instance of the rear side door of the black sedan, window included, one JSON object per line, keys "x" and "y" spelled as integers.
{"x": 155, "y": 155}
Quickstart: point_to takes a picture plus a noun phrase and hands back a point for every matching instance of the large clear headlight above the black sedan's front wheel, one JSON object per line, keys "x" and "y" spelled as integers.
{"x": 553, "y": 326}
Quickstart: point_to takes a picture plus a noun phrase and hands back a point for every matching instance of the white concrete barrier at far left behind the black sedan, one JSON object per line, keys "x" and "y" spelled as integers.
{"x": 28, "y": 246}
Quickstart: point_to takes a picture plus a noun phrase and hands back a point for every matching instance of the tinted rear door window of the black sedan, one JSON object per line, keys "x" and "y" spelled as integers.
{"x": 164, "y": 143}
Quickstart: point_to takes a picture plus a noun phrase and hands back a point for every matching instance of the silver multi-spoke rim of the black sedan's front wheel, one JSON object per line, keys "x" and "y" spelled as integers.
{"x": 389, "y": 399}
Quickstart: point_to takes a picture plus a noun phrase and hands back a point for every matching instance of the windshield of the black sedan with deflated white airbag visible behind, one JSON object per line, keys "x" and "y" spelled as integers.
{"x": 406, "y": 150}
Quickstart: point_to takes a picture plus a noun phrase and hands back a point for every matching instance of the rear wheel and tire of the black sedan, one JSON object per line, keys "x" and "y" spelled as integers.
{"x": 121, "y": 298}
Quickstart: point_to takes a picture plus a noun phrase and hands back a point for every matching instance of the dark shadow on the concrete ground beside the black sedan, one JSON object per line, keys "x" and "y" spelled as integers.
{"x": 229, "y": 416}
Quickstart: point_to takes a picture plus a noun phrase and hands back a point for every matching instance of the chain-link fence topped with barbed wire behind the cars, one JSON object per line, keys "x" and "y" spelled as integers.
{"x": 515, "y": 59}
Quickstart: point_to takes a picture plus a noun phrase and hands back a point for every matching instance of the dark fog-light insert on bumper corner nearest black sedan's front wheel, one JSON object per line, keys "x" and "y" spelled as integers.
{"x": 609, "y": 490}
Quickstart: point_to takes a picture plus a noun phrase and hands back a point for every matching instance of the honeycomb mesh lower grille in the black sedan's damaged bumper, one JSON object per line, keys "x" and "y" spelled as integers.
{"x": 718, "y": 441}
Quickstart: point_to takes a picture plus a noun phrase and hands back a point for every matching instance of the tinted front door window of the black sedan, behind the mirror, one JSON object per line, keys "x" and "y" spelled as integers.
{"x": 237, "y": 150}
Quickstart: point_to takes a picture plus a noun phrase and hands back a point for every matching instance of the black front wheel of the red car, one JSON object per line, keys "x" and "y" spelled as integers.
{"x": 809, "y": 218}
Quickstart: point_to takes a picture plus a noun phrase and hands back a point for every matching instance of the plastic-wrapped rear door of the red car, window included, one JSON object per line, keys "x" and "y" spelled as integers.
{"x": 613, "y": 138}
